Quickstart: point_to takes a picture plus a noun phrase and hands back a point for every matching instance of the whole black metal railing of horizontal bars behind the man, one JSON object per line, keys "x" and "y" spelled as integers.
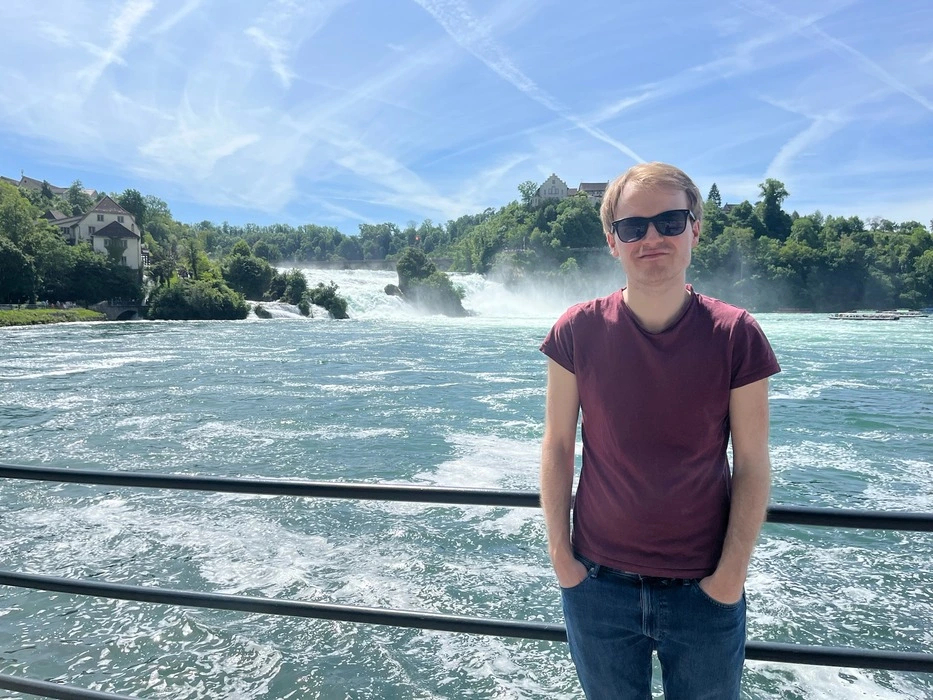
{"x": 756, "y": 651}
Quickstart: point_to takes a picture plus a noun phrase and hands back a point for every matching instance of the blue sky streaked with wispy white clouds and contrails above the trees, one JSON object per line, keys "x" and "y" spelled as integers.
{"x": 338, "y": 112}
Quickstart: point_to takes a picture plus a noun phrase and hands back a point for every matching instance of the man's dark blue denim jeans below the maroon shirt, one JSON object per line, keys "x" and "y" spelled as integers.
{"x": 616, "y": 619}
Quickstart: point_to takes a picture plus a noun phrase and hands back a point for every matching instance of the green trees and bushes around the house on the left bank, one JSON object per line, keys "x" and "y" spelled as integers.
{"x": 183, "y": 282}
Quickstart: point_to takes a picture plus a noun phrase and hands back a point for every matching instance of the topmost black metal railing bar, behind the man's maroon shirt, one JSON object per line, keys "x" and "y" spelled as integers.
{"x": 798, "y": 515}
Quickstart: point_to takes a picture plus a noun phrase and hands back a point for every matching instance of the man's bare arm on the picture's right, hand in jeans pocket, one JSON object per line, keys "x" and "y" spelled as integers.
{"x": 751, "y": 483}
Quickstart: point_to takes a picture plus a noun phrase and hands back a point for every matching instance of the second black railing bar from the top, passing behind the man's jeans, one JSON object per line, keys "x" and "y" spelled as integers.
{"x": 755, "y": 651}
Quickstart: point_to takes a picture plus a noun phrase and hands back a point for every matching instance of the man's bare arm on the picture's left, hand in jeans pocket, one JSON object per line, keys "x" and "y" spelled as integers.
{"x": 562, "y": 409}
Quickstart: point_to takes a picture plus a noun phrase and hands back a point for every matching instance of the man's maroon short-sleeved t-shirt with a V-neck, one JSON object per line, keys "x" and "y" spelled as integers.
{"x": 655, "y": 487}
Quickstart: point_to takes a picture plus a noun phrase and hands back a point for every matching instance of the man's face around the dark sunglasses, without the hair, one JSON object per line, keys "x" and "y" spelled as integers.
{"x": 655, "y": 260}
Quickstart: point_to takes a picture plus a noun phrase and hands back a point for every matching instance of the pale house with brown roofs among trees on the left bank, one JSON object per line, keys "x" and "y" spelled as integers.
{"x": 105, "y": 226}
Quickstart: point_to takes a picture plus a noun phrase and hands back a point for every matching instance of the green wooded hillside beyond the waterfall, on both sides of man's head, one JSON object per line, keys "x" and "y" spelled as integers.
{"x": 750, "y": 253}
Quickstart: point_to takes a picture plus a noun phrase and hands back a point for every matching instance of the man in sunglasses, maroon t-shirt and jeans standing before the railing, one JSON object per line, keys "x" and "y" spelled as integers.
{"x": 662, "y": 531}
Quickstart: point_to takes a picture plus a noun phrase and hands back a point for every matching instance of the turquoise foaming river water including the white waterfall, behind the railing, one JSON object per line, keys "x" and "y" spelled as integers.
{"x": 390, "y": 396}
